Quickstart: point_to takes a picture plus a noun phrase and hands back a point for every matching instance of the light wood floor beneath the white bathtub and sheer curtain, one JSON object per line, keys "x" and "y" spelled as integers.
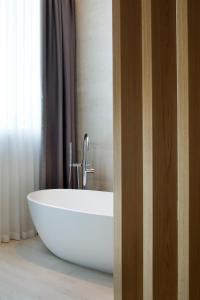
{"x": 29, "y": 271}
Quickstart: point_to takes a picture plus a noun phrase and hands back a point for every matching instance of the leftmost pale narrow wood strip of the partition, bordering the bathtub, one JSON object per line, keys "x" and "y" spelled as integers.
{"x": 117, "y": 151}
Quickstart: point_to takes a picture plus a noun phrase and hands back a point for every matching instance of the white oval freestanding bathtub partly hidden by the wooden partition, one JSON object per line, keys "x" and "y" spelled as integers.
{"x": 76, "y": 225}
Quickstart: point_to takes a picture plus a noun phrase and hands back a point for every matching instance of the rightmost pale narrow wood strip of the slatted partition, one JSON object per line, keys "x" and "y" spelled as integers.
{"x": 183, "y": 150}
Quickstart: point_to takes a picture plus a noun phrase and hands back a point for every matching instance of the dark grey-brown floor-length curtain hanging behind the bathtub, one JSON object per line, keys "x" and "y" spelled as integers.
{"x": 58, "y": 108}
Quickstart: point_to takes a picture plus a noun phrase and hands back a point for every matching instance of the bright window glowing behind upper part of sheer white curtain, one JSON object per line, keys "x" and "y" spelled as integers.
{"x": 20, "y": 66}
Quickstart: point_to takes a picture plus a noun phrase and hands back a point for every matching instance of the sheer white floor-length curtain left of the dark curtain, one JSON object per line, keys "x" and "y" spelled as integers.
{"x": 20, "y": 114}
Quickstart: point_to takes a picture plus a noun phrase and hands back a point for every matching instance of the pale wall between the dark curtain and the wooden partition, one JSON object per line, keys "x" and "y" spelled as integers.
{"x": 94, "y": 87}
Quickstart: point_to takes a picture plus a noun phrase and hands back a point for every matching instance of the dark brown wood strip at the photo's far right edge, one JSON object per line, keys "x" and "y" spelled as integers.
{"x": 194, "y": 139}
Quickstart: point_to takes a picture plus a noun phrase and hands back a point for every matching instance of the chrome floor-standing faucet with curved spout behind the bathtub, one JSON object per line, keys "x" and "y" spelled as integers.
{"x": 85, "y": 166}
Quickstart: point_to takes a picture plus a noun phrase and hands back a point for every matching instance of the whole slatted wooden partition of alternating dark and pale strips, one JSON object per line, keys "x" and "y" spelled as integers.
{"x": 157, "y": 149}
